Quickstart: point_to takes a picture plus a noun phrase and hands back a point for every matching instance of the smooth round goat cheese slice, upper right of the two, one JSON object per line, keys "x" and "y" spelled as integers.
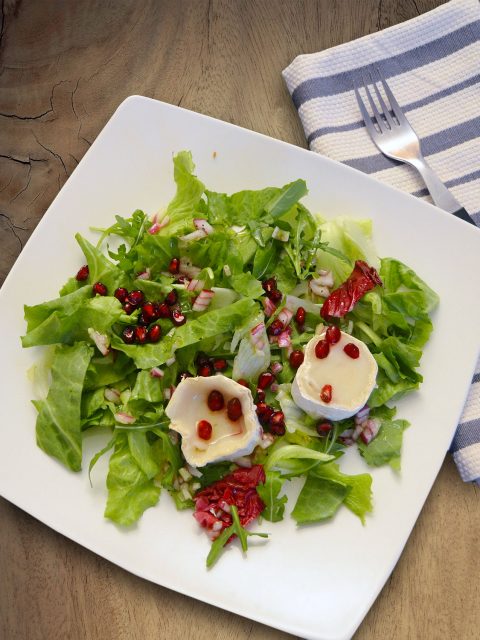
{"x": 348, "y": 380}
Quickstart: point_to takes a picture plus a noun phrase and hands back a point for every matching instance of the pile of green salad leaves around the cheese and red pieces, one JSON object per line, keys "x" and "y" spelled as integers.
{"x": 99, "y": 380}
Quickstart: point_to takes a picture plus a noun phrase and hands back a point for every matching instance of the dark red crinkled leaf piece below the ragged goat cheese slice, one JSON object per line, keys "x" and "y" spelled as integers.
{"x": 238, "y": 488}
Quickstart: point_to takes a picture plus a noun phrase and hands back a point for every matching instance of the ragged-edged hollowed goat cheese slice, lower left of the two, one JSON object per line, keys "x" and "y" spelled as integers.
{"x": 229, "y": 439}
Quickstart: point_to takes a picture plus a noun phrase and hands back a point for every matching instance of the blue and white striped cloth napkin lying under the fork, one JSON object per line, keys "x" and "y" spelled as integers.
{"x": 432, "y": 66}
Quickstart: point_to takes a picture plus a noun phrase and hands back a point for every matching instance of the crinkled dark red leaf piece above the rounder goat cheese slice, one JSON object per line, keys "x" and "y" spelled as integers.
{"x": 342, "y": 300}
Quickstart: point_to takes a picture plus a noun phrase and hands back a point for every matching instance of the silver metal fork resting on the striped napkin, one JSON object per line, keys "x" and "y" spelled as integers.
{"x": 394, "y": 136}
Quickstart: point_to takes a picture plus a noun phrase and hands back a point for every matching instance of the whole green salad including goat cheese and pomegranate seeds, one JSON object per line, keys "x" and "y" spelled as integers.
{"x": 225, "y": 296}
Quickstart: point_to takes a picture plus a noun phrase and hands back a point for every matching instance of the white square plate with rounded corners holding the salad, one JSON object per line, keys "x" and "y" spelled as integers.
{"x": 319, "y": 581}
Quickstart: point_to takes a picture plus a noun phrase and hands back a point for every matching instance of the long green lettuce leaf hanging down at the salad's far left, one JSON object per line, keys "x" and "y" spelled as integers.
{"x": 58, "y": 422}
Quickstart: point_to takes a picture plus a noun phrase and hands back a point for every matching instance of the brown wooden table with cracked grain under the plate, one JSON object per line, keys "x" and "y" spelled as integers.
{"x": 65, "y": 67}
